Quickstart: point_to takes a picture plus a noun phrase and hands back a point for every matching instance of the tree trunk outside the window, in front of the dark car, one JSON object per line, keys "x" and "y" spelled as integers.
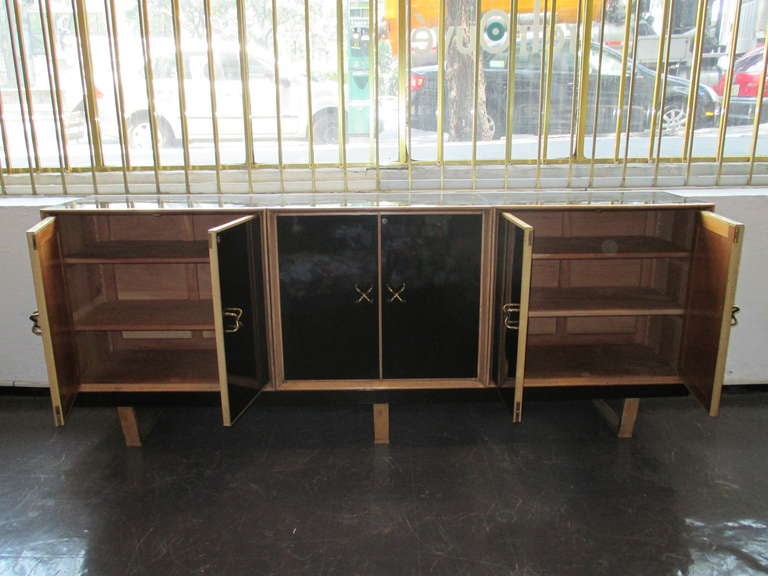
{"x": 459, "y": 103}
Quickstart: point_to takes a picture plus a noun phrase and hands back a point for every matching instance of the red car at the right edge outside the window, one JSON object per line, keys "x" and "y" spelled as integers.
{"x": 745, "y": 87}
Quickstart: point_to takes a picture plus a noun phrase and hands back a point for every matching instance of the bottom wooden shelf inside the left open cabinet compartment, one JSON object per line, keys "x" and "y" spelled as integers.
{"x": 154, "y": 371}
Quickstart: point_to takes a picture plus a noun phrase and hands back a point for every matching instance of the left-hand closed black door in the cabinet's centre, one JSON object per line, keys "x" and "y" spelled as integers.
{"x": 328, "y": 296}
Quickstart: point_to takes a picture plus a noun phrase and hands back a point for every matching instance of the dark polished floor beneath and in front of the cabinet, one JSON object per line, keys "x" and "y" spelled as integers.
{"x": 460, "y": 490}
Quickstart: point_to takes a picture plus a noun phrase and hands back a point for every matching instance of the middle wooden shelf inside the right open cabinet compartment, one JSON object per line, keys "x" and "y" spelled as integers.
{"x": 625, "y": 301}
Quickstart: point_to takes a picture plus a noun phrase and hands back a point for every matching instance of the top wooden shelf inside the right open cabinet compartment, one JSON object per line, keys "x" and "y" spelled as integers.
{"x": 557, "y": 248}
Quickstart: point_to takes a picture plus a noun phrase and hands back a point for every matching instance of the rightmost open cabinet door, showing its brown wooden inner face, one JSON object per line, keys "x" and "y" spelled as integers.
{"x": 716, "y": 254}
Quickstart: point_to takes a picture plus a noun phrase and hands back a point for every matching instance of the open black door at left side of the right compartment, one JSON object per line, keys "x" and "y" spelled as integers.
{"x": 513, "y": 285}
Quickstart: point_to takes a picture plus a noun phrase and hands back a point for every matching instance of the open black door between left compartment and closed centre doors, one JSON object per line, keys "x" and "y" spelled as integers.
{"x": 237, "y": 282}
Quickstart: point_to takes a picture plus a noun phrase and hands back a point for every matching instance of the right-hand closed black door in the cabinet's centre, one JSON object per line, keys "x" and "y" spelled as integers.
{"x": 430, "y": 295}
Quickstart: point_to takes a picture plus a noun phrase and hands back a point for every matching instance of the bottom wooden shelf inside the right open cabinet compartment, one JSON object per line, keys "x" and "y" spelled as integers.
{"x": 595, "y": 365}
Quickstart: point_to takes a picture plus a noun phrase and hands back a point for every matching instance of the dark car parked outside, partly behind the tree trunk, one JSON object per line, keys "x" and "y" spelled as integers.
{"x": 527, "y": 79}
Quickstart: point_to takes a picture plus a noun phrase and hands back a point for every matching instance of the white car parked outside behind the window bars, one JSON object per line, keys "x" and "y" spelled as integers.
{"x": 229, "y": 102}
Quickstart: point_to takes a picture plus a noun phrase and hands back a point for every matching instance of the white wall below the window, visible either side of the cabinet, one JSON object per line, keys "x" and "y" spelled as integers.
{"x": 21, "y": 358}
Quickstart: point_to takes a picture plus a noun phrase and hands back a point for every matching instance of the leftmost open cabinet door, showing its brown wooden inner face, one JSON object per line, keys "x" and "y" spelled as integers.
{"x": 53, "y": 317}
